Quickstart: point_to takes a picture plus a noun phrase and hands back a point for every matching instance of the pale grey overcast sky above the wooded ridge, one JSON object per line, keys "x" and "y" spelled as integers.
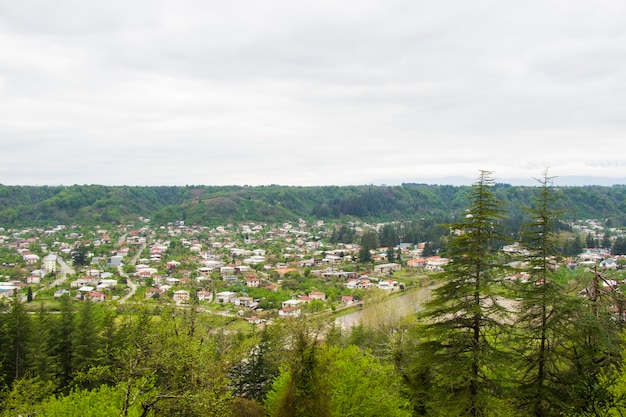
{"x": 310, "y": 92}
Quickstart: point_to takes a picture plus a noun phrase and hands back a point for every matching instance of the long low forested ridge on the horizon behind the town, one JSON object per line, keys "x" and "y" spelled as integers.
{"x": 215, "y": 205}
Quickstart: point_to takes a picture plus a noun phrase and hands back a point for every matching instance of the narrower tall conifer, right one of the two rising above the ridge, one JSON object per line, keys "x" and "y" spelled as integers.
{"x": 546, "y": 312}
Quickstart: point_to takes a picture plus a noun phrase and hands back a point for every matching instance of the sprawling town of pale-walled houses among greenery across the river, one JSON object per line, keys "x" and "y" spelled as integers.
{"x": 252, "y": 271}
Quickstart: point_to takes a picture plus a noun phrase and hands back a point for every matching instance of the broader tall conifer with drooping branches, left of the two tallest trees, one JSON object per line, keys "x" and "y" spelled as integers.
{"x": 464, "y": 318}
